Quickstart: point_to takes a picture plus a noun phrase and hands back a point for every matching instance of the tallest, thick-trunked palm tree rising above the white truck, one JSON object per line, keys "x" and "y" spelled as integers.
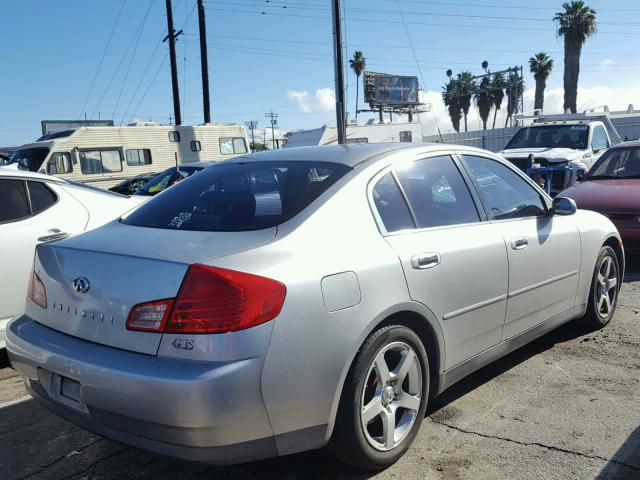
{"x": 576, "y": 23}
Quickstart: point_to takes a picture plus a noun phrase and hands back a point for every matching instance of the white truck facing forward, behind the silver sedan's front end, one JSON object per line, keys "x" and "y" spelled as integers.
{"x": 556, "y": 150}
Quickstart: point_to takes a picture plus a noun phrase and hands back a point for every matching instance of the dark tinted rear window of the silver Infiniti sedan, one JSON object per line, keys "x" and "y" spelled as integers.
{"x": 238, "y": 196}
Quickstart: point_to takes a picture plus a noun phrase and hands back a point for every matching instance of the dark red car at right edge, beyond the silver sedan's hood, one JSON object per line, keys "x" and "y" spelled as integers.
{"x": 612, "y": 188}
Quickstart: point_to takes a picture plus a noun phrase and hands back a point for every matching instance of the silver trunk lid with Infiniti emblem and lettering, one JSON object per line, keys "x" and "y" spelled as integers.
{"x": 141, "y": 266}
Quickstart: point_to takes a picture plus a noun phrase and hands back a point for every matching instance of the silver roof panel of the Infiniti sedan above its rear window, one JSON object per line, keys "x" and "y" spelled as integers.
{"x": 350, "y": 154}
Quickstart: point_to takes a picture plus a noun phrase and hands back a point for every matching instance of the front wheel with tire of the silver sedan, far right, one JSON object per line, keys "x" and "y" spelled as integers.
{"x": 605, "y": 287}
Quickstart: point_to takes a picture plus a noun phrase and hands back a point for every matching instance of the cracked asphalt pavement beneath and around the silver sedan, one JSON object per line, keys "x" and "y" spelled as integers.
{"x": 564, "y": 407}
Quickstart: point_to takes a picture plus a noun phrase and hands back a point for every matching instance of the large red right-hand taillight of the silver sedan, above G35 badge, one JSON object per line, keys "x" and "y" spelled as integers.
{"x": 216, "y": 300}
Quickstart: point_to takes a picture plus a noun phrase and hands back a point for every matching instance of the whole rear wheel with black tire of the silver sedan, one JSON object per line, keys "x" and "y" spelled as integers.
{"x": 383, "y": 400}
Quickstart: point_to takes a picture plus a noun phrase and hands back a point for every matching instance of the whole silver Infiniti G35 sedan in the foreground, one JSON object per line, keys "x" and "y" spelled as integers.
{"x": 296, "y": 299}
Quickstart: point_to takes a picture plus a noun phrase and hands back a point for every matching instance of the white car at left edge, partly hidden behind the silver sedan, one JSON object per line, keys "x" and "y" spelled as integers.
{"x": 36, "y": 208}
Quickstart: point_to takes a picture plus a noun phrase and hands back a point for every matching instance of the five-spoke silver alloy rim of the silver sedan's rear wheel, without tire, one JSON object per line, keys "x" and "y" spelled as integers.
{"x": 391, "y": 396}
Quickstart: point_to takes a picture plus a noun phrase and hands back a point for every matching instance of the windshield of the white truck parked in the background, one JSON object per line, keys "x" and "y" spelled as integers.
{"x": 551, "y": 136}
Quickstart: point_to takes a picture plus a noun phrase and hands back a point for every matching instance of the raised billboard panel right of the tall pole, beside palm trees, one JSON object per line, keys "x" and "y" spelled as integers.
{"x": 381, "y": 89}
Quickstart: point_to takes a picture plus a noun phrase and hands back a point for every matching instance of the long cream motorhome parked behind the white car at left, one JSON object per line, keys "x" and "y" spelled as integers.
{"x": 106, "y": 155}
